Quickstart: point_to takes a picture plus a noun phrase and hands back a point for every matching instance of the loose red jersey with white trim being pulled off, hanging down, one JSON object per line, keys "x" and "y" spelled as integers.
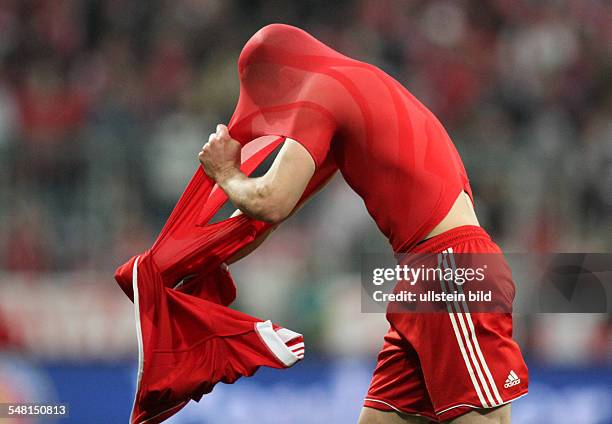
{"x": 191, "y": 340}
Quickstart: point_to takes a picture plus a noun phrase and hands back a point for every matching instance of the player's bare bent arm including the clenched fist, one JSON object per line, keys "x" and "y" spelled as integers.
{"x": 271, "y": 197}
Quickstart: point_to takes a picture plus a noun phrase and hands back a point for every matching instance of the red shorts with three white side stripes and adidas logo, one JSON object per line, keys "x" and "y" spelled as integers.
{"x": 443, "y": 365}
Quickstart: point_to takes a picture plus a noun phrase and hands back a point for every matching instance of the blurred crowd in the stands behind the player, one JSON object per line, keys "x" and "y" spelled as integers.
{"x": 104, "y": 105}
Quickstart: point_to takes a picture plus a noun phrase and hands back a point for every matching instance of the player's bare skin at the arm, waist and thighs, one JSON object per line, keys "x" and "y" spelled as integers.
{"x": 274, "y": 196}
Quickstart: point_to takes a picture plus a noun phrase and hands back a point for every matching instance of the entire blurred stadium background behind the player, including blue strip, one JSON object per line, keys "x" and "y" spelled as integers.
{"x": 104, "y": 105}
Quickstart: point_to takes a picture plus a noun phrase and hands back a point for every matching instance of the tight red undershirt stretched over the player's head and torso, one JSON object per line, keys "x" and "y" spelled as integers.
{"x": 389, "y": 147}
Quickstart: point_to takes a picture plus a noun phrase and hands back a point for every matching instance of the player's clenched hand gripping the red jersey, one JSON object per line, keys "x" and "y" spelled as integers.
{"x": 220, "y": 157}
